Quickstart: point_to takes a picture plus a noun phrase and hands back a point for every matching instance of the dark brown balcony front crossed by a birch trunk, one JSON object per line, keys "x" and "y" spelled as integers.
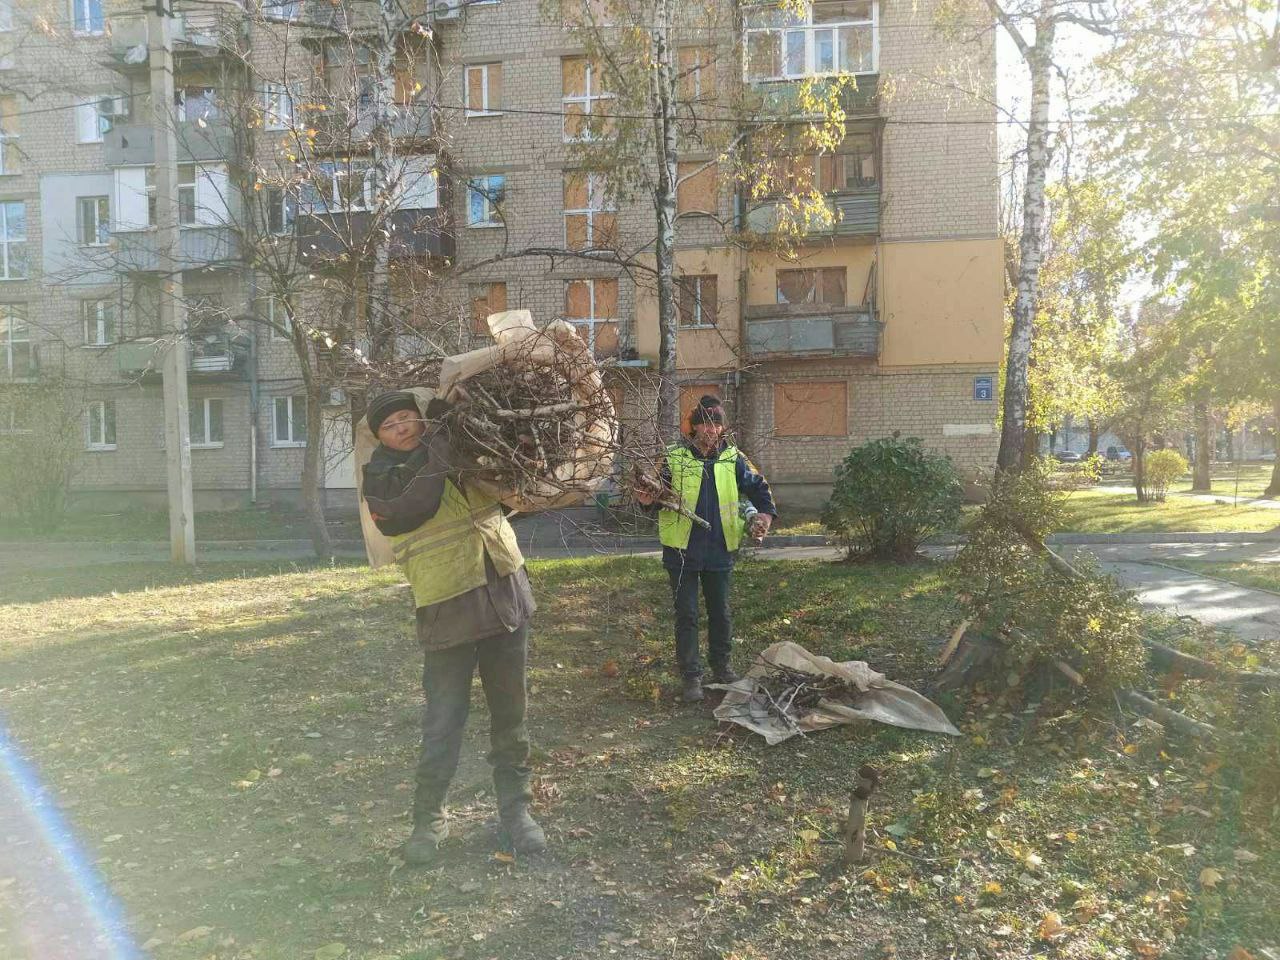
{"x": 414, "y": 234}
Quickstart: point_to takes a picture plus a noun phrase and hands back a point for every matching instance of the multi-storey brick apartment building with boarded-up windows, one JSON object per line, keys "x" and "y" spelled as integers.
{"x": 888, "y": 319}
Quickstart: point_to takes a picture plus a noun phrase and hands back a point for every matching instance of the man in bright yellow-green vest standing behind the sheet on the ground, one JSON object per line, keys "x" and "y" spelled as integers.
{"x": 707, "y": 477}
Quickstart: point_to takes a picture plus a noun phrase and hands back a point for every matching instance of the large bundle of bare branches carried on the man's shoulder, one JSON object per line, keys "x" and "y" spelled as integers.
{"x": 536, "y": 428}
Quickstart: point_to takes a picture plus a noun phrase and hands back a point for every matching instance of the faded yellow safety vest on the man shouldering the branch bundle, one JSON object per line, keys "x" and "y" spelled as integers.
{"x": 445, "y": 557}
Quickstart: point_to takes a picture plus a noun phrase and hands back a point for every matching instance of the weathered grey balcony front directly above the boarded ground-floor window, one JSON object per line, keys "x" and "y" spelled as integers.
{"x": 812, "y": 331}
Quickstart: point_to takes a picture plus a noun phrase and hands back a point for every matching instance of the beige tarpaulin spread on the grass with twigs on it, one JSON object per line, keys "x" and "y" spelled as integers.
{"x": 880, "y": 700}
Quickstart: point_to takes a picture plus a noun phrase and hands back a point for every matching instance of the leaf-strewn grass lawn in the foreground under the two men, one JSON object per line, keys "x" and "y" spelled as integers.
{"x": 234, "y": 747}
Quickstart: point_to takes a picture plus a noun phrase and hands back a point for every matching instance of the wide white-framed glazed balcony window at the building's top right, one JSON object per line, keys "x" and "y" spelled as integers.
{"x": 833, "y": 36}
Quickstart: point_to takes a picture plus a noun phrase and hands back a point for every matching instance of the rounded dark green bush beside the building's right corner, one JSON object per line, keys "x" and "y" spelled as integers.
{"x": 889, "y": 497}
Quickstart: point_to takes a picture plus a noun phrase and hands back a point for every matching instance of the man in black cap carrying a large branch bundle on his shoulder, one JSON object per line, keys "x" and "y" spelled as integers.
{"x": 474, "y": 605}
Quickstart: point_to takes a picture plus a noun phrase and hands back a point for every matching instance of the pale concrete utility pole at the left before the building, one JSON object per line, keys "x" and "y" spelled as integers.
{"x": 177, "y": 427}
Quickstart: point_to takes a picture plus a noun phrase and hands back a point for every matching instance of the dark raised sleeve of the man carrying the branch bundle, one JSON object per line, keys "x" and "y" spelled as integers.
{"x": 404, "y": 495}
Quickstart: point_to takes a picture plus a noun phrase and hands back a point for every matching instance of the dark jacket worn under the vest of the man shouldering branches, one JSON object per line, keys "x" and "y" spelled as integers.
{"x": 404, "y": 491}
